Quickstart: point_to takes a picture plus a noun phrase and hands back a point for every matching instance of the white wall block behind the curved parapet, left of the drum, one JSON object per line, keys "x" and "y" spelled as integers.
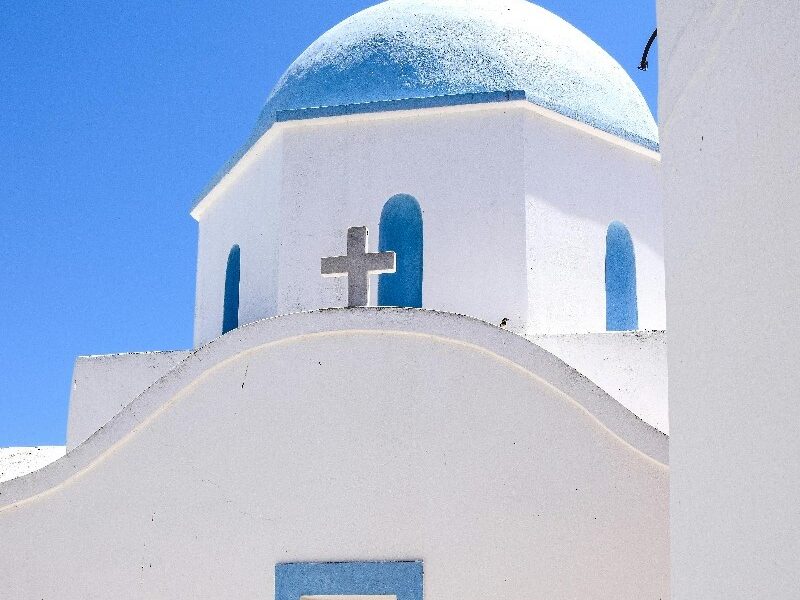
{"x": 104, "y": 385}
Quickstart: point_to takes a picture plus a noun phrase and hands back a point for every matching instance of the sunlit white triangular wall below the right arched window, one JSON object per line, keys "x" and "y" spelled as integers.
{"x": 631, "y": 366}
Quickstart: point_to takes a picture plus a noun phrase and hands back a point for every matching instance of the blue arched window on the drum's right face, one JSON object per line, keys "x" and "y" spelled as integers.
{"x": 622, "y": 313}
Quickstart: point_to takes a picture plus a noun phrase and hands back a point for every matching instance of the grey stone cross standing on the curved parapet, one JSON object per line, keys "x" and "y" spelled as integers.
{"x": 358, "y": 265}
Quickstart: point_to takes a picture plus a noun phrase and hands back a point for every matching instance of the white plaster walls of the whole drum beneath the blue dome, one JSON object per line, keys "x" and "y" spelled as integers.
{"x": 515, "y": 200}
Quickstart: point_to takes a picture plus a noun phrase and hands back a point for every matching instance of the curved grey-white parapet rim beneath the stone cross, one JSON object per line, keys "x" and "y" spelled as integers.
{"x": 448, "y": 327}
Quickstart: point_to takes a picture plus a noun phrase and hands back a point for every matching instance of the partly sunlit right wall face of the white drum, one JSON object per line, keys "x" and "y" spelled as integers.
{"x": 577, "y": 182}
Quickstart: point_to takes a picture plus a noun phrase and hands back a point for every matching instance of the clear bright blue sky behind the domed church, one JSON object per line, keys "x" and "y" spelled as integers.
{"x": 113, "y": 116}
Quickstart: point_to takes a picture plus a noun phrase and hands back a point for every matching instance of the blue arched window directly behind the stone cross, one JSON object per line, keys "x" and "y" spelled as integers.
{"x": 401, "y": 231}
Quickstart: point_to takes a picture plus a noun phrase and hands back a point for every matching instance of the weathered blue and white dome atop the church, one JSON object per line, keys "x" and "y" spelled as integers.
{"x": 405, "y": 49}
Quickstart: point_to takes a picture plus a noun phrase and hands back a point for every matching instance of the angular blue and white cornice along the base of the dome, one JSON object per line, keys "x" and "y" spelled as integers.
{"x": 626, "y": 139}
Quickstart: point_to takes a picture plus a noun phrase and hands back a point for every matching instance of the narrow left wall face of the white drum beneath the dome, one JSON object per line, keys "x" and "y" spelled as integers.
{"x": 244, "y": 211}
